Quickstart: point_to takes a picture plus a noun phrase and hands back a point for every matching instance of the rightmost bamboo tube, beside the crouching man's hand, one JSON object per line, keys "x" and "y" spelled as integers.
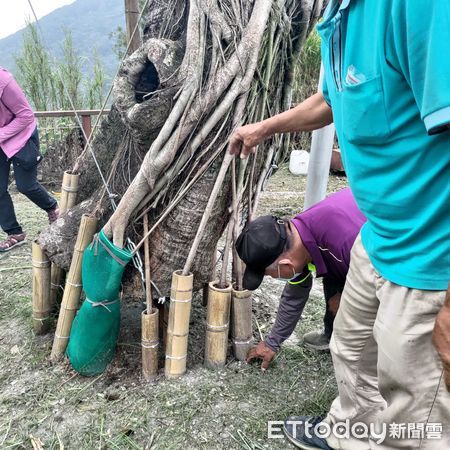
{"x": 241, "y": 322}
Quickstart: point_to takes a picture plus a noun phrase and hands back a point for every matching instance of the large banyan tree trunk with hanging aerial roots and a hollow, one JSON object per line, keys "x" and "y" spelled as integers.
{"x": 204, "y": 68}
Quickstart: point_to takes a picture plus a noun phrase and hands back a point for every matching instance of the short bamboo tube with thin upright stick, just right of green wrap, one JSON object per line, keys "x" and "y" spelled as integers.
{"x": 149, "y": 321}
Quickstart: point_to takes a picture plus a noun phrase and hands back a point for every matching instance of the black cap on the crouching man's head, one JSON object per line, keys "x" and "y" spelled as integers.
{"x": 259, "y": 245}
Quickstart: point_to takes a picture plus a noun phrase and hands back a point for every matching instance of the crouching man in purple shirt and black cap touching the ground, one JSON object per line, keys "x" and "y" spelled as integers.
{"x": 319, "y": 239}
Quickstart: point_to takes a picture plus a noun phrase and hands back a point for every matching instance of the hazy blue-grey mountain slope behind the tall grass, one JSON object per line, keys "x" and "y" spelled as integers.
{"x": 90, "y": 23}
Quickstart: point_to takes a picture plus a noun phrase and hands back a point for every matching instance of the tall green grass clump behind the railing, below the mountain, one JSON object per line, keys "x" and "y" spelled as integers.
{"x": 48, "y": 83}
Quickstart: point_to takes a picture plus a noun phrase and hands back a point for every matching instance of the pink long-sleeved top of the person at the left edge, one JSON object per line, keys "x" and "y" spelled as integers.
{"x": 17, "y": 121}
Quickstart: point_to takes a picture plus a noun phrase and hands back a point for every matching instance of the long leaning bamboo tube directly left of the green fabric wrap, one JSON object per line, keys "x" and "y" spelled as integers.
{"x": 72, "y": 291}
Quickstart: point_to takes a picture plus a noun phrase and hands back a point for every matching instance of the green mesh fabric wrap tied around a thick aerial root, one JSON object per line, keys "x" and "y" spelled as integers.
{"x": 95, "y": 329}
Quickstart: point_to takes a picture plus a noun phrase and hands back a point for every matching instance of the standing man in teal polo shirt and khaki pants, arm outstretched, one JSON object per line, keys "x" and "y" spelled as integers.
{"x": 387, "y": 88}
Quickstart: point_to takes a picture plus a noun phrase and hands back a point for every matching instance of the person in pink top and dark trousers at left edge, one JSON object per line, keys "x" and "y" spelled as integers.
{"x": 19, "y": 146}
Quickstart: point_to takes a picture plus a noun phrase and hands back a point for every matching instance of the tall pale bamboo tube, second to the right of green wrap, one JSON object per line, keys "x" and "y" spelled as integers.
{"x": 178, "y": 326}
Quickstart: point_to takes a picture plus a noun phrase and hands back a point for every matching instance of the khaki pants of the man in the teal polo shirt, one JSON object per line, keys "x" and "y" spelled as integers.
{"x": 387, "y": 369}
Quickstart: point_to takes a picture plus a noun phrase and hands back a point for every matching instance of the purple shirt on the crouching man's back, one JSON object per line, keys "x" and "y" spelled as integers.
{"x": 328, "y": 230}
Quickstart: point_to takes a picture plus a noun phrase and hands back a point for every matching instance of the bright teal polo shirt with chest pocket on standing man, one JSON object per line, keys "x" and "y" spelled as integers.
{"x": 387, "y": 79}
